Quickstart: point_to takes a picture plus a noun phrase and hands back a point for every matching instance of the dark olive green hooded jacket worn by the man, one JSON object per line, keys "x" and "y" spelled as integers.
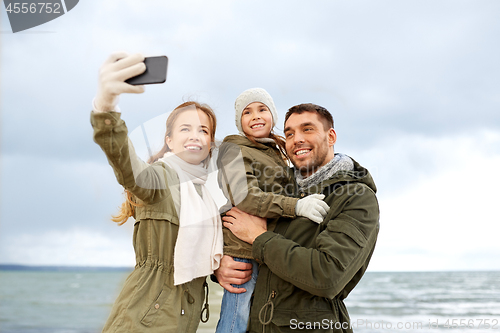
{"x": 308, "y": 269}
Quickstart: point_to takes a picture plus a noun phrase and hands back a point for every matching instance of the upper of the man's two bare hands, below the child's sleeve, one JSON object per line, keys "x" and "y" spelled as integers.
{"x": 244, "y": 226}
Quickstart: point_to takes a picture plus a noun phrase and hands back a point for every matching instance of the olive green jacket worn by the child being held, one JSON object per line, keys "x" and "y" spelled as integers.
{"x": 255, "y": 178}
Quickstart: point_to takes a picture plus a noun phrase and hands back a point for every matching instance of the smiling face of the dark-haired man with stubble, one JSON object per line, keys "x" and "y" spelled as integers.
{"x": 308, "y": 145}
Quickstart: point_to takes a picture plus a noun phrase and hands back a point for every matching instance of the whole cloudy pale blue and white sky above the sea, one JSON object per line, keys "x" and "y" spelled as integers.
{"x": 413, "y": 86}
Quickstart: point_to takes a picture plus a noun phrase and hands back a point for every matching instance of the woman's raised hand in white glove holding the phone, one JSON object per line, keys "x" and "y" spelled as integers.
{"x": 112, "y": 75}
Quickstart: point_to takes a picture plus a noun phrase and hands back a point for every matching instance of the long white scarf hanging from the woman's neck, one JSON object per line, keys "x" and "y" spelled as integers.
{"x": 198, "y": 249}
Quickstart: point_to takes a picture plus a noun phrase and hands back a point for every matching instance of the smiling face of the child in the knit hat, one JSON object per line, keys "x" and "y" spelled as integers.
{"x": 256, "y": 120}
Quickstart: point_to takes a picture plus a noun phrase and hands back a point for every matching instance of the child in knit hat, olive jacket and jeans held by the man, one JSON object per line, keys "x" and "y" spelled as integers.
{"x": 254, "y": 177}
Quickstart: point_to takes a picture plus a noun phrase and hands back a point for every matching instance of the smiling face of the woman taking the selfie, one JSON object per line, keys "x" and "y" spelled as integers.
{"x": 190, "y": 137}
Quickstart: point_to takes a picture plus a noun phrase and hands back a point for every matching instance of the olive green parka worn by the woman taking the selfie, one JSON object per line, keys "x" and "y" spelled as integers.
{"x": 149, "y": 301}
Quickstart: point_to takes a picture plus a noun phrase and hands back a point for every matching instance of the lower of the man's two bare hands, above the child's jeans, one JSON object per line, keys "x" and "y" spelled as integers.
{"x": 233, "y": 272}
